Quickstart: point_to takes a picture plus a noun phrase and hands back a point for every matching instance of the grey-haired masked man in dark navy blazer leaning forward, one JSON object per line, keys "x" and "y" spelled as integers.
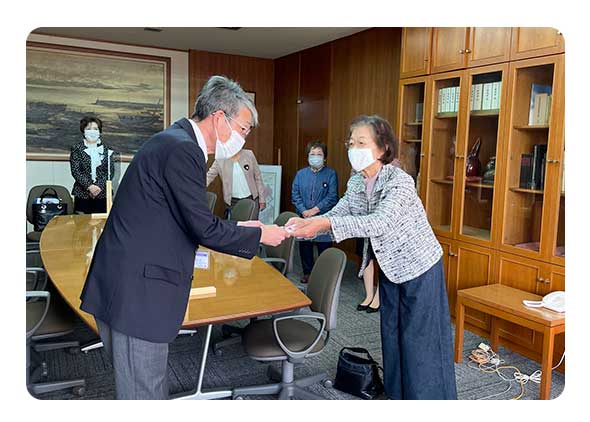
{"x": 138, "y": 284}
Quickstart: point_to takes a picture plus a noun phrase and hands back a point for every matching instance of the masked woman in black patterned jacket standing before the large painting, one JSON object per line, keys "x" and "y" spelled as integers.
{"x": 91, "y": 164}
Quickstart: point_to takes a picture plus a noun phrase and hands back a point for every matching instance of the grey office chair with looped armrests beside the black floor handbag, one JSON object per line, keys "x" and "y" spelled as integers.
{"x": 286, "y": 338}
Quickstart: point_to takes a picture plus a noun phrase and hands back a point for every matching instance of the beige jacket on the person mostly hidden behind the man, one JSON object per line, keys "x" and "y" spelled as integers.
{"x": 225, "y": 168}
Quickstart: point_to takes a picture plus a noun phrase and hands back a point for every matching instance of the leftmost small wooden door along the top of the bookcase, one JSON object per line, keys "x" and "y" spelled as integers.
{"x": 415, "y": 56}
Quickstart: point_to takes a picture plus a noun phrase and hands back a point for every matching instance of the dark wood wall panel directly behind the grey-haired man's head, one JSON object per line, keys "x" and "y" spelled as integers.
{"x": 254, "y": 75}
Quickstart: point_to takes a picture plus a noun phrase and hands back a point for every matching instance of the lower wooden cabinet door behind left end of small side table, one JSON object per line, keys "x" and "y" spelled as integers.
{"x": 474, "y": 268}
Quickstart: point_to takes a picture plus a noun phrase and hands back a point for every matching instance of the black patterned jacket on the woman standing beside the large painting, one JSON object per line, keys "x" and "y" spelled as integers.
{"x": 80, "y": 167}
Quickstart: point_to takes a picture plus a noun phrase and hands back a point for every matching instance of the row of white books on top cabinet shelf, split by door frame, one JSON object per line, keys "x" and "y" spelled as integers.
{"x": 483, "y": 97}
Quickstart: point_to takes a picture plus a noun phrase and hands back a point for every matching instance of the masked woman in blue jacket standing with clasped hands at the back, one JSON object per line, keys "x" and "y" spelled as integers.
{"x": 314, "y": 191}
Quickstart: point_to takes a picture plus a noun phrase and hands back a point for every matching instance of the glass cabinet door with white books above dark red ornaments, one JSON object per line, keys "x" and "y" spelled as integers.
{"x": 482, "y": 140}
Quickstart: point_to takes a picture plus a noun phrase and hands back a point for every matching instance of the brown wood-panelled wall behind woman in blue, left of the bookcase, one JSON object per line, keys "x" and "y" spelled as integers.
{"x": 336, "y": 82}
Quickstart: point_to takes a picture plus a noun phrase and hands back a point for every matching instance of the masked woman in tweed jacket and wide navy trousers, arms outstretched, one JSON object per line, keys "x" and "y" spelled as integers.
{"x": 381, "y": 204}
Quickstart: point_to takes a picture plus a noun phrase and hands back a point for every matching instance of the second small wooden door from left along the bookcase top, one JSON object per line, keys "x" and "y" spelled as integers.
{"x": 448, "y": 49}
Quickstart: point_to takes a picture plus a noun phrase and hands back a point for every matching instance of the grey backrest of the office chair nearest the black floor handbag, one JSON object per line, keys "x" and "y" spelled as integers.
{"x": 324, "y": 284}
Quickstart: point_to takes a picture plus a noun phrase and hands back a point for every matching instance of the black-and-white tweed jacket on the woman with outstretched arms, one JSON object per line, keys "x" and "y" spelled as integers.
{"x": 393, "y": 219}
